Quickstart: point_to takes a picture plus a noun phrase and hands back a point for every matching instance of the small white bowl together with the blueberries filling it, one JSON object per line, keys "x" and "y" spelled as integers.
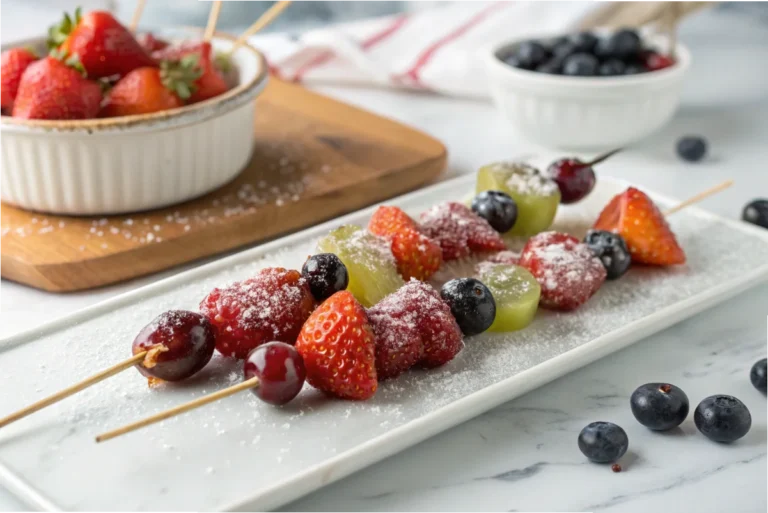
{"x": 588, "y": 90}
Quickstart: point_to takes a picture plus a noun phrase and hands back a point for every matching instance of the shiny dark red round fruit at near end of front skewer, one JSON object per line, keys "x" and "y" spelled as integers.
{"x": 280, "y": 369}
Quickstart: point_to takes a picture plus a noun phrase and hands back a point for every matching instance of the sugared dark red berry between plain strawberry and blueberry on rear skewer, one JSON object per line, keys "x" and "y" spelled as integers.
{"x": 459, "y": 231}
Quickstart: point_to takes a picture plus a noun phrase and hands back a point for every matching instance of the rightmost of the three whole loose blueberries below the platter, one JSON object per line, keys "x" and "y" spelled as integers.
{"x": 722, "y": 418}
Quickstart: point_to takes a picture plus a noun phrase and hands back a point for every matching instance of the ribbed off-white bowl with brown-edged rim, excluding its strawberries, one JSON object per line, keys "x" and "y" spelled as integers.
{"x": 132, "y": 163}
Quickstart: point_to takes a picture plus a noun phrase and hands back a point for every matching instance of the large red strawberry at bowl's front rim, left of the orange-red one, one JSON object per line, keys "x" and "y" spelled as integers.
{"x": 50, "y": 89}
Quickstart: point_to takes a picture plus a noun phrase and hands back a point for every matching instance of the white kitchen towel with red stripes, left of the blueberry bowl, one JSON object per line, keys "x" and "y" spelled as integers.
{"x": 435, "y": 50}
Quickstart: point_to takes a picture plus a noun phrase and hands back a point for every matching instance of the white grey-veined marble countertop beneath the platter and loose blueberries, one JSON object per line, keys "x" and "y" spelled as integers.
{"x": 522, "y": 457}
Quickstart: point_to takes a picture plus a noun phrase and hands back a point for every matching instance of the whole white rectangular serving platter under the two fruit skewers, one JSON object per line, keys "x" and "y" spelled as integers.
{"x": 240, "y": 455}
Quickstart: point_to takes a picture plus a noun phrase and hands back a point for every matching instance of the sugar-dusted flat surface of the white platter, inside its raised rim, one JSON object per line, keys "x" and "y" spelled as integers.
{"x": 240, "y": 447}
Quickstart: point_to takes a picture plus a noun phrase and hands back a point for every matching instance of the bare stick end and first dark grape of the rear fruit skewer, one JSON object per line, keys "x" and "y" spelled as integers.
{"x": 173, "y": 347}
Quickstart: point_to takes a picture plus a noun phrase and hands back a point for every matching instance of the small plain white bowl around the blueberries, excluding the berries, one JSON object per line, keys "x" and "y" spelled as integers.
{"x": 585, "y": 113}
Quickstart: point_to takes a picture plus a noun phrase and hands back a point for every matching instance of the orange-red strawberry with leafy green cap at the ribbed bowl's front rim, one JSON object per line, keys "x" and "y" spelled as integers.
{"x": 147, "y": 90}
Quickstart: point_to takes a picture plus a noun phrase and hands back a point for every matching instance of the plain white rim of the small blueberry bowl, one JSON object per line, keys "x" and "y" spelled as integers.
{"x": 493, "y": 55}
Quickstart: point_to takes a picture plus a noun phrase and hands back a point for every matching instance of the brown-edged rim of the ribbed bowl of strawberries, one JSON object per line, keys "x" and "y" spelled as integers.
{"x": 236, "y": 96}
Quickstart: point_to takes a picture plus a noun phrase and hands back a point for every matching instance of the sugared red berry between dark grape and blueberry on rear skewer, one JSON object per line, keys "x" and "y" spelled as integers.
{"x": 270, "y": 307}
